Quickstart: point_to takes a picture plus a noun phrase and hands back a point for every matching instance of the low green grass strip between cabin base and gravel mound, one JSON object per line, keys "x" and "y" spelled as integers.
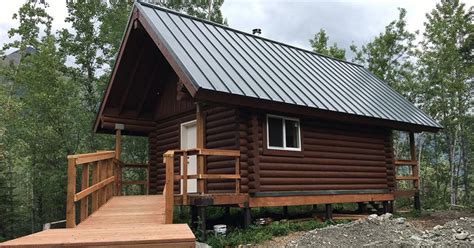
{"x": 257, "y": 234}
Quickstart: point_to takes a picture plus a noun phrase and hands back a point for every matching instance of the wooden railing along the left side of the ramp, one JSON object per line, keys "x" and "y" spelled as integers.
{"x": 101, "y": 179}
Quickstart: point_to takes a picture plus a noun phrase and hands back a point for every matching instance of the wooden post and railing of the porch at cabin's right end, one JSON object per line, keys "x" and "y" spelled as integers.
{"x": 414, "y": 177}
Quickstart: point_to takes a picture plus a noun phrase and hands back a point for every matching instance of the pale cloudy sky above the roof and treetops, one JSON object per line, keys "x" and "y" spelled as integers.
{"x": 289, "y": 21}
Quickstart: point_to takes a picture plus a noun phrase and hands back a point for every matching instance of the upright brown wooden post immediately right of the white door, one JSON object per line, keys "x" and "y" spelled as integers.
{"x": 200, "y": 118}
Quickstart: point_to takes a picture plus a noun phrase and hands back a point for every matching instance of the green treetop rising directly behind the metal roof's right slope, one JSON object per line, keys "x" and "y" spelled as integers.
{"x": 390, "y": 56}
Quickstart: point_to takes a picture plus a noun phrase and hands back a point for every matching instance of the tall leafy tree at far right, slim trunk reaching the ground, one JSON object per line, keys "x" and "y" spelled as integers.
{"x": 447, "y": 86}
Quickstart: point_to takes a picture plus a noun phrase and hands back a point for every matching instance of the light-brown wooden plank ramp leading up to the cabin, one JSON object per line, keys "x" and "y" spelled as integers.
{"x": 124, "y": 221}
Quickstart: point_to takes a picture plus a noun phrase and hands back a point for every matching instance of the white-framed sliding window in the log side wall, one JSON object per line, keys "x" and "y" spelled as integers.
{"x": 283, "y": 133}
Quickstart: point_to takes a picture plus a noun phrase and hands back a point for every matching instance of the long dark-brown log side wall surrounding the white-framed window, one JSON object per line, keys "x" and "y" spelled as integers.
{"x": 334, "y": 157}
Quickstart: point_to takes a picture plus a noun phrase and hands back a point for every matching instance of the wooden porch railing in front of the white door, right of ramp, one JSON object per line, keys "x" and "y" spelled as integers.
{"x": 201, "y": 176}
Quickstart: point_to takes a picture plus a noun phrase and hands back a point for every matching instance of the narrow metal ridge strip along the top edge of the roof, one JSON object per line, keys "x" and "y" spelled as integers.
{"x": 244, "y": 33}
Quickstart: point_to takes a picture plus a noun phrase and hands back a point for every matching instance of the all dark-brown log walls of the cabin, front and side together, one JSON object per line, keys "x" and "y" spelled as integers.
{"x": 334, "y": 156}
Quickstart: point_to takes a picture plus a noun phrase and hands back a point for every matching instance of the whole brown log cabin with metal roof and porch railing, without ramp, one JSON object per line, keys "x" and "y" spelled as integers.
{"x": 235, "y": 119}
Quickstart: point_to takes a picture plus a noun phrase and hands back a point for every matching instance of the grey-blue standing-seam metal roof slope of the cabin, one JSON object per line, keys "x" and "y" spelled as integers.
{"x": 218, "y": 58}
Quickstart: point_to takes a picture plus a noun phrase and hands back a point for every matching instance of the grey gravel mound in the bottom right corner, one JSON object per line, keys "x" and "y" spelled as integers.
{"x": 386, "y": 231}
